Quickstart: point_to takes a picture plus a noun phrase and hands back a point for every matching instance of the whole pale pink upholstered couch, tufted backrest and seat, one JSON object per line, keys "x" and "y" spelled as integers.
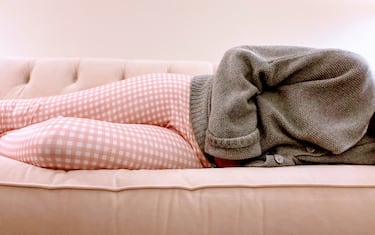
{"x": 302, "y": 200}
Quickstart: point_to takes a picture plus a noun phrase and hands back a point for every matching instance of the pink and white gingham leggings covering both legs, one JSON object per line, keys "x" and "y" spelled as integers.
{"x": 138, "y": 123}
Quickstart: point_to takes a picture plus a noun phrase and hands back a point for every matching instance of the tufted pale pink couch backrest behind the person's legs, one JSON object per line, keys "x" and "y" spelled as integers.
{"x": 26, "y": 77}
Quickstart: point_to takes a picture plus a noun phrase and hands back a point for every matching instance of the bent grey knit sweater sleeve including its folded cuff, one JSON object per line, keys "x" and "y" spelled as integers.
{"x": 232, "y": 128}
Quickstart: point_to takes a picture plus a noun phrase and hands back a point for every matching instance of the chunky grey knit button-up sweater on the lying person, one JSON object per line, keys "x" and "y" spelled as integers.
{"x": 275, "y": 106}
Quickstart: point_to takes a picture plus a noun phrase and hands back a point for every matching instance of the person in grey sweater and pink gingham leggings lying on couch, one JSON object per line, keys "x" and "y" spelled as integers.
{"x": 265, "y": 106}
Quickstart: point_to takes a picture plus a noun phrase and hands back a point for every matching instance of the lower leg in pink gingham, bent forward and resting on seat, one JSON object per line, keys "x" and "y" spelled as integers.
{"x": 76, "y": 143}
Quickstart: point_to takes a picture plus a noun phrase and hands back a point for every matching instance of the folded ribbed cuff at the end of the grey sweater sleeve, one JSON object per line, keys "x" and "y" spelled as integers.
{"x": 238, "y": 148}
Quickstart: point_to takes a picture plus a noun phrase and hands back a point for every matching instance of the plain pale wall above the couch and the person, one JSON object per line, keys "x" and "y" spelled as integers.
{"x": 180, "y": 29}
